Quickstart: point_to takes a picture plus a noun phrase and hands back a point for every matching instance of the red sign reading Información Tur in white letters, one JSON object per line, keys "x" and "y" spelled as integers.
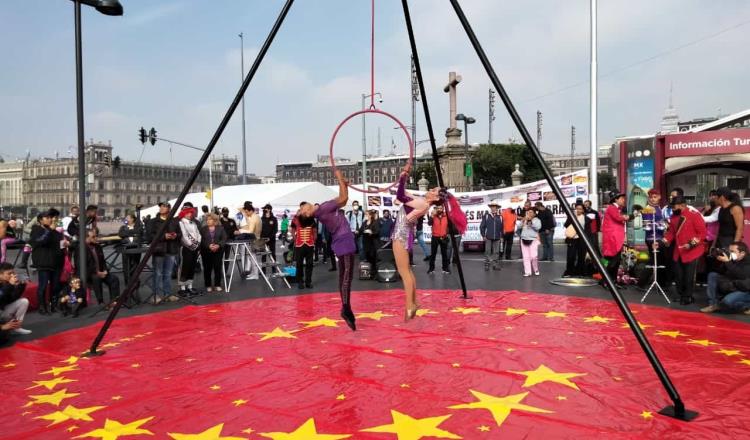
{"x": 708, "y": 142}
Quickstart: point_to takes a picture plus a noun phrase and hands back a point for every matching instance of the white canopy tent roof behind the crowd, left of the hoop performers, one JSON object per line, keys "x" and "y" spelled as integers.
{"x": 282, "y": 196}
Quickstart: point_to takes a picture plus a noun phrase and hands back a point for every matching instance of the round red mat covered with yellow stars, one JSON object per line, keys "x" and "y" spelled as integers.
{"x": 501, "y": 365}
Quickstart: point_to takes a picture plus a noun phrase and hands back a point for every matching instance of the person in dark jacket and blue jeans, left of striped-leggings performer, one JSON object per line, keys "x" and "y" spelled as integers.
{"x": 165, "y": 250}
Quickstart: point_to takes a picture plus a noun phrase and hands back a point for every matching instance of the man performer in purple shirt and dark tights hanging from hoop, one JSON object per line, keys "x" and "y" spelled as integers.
{"x": 342, "y": 242}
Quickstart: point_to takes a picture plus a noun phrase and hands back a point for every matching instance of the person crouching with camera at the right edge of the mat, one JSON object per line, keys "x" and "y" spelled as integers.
{"x": 730, "y": 277}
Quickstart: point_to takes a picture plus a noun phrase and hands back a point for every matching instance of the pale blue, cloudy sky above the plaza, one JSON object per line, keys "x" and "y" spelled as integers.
{"x": 175, "y": 65}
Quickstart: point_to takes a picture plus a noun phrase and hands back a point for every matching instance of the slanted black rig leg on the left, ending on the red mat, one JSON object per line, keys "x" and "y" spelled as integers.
{"x": 193, "y": 176}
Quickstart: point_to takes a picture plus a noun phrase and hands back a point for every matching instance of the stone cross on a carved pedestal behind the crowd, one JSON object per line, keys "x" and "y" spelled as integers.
{"x": 452, "y": 154}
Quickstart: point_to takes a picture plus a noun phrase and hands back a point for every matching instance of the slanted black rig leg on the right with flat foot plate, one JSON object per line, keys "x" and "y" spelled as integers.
{"x": 678, "y": 410}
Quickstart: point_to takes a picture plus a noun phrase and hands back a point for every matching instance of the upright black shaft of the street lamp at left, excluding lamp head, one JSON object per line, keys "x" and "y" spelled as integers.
{"x": 81, "y": 263}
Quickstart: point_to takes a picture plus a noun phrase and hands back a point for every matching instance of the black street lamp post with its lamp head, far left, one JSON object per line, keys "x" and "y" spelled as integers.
{"x": 106, "y": 7}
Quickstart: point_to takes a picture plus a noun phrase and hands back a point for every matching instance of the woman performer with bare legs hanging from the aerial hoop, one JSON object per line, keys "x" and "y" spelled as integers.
{"x": 412, "y": 208}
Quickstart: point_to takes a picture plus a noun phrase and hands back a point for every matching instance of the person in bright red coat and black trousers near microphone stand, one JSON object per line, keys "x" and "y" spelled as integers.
{"x": 687, "y": 231}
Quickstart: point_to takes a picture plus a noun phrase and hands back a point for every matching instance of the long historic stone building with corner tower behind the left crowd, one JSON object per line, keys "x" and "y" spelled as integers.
{"x": 115, "y": 186}
